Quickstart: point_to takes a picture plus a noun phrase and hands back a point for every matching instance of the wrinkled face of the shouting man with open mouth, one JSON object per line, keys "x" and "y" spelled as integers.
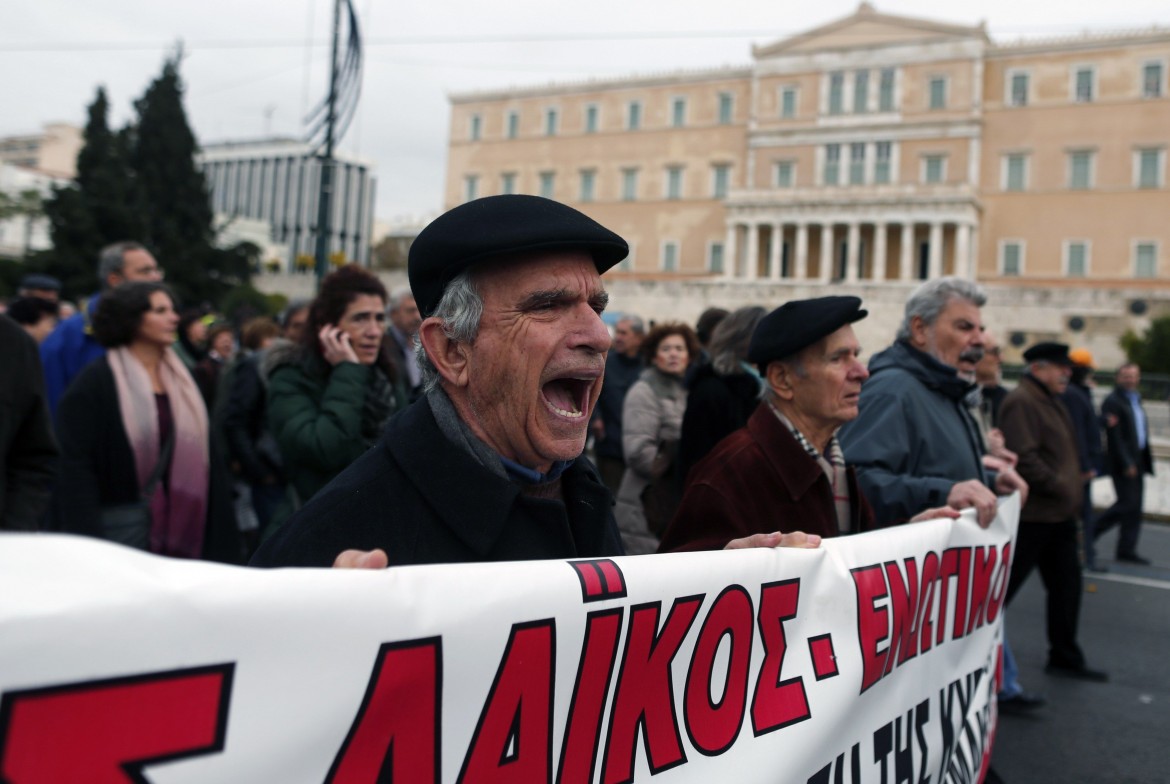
{"x": 535, "y": 369}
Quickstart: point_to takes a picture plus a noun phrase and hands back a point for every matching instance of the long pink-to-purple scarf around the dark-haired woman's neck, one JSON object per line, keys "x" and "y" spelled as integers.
{"x": 180, "y": 515}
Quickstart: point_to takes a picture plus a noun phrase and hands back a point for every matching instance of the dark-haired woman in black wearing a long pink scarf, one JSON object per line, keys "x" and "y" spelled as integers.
{"x": 136, "y": 415}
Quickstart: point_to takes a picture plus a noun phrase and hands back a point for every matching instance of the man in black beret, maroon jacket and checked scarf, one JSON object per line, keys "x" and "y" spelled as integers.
{"x": 786, "y": 470}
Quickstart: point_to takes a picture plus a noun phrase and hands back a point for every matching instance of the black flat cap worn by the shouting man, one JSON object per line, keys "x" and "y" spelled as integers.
{"x": 501, "y": 228}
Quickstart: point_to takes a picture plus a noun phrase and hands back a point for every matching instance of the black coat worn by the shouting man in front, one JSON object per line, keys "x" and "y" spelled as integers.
{"x": 424, "y": 500}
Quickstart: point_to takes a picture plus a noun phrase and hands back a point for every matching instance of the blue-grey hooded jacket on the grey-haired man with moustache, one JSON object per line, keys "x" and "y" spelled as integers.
{"x": 916, "y": 437}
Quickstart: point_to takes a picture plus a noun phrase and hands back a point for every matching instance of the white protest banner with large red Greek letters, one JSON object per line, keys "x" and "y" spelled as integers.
{"x": 870, "y": 659}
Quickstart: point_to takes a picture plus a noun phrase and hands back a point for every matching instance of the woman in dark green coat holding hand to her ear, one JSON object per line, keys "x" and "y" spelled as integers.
{"x": 331, "y": 397}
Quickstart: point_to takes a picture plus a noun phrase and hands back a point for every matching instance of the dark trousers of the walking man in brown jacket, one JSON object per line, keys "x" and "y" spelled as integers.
{"x": 1052, "y": 548}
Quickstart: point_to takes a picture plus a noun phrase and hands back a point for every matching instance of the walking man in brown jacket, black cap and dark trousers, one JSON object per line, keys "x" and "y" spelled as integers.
{"x": 1038, "y": 429}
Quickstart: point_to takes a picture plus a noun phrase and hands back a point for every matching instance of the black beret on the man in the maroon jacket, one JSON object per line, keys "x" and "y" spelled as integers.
{"x": 799, "y": 325}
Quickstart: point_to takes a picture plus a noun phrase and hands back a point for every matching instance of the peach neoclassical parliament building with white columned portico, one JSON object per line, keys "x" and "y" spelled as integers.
{"x": 872, "y": 149}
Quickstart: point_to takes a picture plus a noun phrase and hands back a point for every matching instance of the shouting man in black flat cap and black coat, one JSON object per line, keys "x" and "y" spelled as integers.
{"x": 488, "y": 466}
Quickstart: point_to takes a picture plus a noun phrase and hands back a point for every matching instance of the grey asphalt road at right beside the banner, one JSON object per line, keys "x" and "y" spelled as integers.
{"x": 1116, "y": 733}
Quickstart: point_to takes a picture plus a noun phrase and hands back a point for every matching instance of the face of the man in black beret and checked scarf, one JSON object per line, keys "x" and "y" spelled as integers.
{"x": 828, "y": 395}
